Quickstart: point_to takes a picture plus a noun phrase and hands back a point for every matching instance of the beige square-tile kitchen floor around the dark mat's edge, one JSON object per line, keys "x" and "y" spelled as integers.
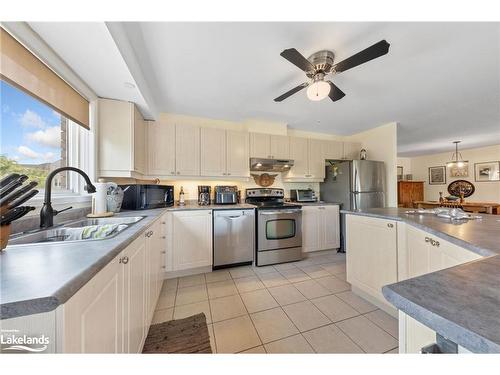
{"x": 300, "y": 307}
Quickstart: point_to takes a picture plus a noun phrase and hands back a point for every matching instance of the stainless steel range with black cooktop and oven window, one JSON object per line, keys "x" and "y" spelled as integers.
{"x": 279, "y": 227}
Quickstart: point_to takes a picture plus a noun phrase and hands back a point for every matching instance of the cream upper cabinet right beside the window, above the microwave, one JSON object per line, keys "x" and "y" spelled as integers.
{"x": 121, "y": 139}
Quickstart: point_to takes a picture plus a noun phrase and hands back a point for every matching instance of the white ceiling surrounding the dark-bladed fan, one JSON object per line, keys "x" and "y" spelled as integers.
{"x": 439, "y": 81}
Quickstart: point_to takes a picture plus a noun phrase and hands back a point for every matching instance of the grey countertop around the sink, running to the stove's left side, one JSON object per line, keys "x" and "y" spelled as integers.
{"x": 39, "y": 277}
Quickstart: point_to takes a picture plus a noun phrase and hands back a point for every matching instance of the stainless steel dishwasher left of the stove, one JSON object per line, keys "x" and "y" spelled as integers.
{"x": 234, "y": 237}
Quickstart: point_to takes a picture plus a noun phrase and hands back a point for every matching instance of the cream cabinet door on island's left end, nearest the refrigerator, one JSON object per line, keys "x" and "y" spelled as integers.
{"x": 371, "y": 254}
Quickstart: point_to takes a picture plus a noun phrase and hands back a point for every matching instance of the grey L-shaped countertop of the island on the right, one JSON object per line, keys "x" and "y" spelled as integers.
{"x": 461, "y": 303}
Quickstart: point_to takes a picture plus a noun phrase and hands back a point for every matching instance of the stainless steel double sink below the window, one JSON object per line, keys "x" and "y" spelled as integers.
{"x": 63, "y": 232}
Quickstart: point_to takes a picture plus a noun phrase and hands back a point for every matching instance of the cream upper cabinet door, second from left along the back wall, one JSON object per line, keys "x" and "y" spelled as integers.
{"x": 187, "y": 150}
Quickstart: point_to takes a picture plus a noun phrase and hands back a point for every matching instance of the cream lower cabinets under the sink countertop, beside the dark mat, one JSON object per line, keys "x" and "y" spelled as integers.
{"x": 113, "y": 311}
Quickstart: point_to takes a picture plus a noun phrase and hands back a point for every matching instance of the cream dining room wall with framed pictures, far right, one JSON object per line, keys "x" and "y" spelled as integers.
{"x": 485, "y": 191}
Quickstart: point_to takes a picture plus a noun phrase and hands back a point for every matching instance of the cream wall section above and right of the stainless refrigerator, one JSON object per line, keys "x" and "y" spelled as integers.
{"x": 380, "y": 144}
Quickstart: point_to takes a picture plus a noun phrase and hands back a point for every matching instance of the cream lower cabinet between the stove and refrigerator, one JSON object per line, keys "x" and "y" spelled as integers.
{"x": 320, "y": 228}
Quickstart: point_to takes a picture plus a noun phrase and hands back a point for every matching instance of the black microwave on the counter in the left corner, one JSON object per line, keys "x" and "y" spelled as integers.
{"x": 143, "y": 197}
